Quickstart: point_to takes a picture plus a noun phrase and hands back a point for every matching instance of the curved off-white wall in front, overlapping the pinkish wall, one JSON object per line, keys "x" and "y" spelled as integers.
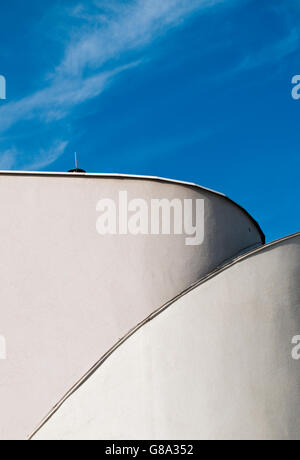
{"x": 216, "y": 364}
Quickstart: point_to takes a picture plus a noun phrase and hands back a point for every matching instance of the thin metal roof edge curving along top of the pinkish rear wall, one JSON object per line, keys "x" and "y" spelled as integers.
{"x": 134, "y": 177}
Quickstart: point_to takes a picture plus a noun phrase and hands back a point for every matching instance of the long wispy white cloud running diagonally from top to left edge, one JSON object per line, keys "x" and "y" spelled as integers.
{"x": 137, "y": 25}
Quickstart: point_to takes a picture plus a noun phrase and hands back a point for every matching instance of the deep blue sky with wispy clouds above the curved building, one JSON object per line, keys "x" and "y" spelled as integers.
{"x": 196, "y": 90}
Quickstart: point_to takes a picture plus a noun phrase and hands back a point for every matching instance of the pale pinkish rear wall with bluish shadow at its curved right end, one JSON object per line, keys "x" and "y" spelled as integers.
{"x": 68, "y": 294}
